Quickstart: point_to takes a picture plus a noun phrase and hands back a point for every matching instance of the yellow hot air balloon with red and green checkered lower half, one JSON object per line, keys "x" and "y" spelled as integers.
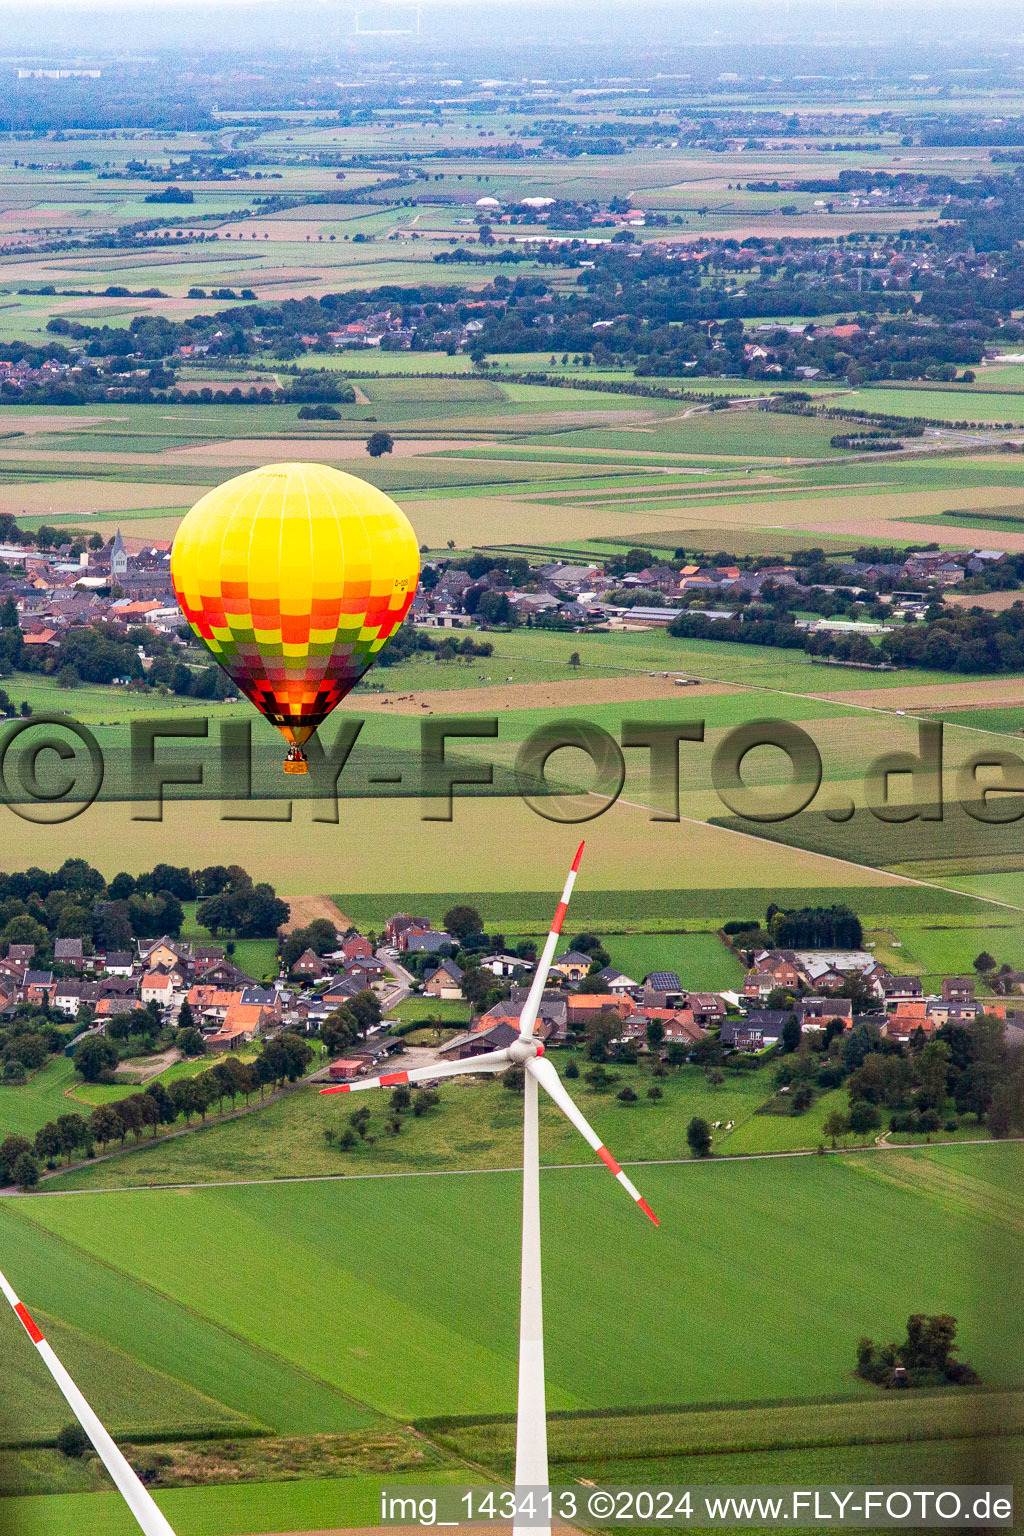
{"x": 296, "y": 577}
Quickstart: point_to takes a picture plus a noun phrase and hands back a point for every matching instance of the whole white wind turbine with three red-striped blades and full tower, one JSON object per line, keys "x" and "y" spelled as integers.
{"x": 532, "y": 1431}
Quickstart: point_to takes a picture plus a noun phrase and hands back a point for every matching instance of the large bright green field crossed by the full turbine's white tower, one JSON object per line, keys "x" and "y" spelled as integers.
{"x": 337, "y": 1248}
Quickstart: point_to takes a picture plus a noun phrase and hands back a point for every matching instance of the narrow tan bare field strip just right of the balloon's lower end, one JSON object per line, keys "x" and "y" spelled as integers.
{"x": 535, "y": 695}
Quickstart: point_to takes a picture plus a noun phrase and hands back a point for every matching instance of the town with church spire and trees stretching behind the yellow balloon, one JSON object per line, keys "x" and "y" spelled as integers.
{"x": 84, "y": 609}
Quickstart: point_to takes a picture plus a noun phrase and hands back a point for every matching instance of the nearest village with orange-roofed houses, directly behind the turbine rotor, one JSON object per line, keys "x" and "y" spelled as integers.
{"x": 788, "y": 996}
